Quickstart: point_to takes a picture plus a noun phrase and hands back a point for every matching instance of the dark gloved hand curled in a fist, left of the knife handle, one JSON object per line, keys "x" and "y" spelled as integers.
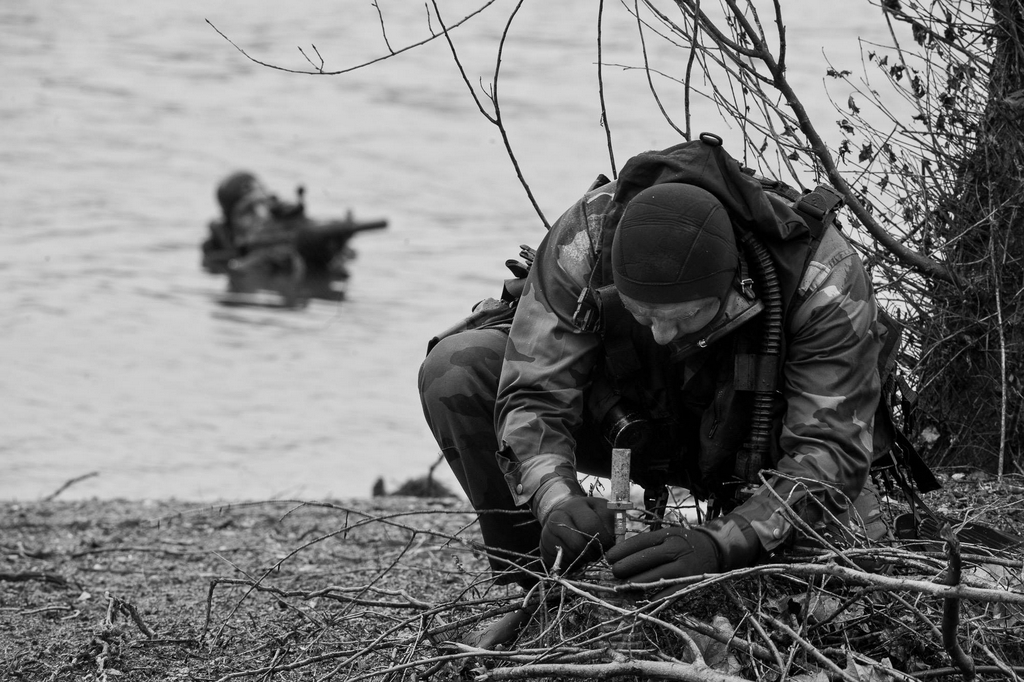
{"x": 582, "y": 527}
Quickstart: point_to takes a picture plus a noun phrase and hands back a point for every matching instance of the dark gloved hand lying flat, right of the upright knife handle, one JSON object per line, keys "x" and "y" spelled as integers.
{"x": 667, "y": 553}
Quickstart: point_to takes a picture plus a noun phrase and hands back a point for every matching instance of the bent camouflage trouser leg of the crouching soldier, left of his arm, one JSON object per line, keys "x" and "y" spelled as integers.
{"x": 458, "y": 383}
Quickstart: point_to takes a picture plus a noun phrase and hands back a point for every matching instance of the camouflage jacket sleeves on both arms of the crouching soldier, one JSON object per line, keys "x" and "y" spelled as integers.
{"x": 830, "y": 382}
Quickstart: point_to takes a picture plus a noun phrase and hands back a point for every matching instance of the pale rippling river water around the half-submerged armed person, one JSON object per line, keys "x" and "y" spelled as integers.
{"x": 117, "y": 120}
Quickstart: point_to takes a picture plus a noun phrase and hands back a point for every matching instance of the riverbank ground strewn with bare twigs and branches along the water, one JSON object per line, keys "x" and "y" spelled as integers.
{"x": 399, "y": 589}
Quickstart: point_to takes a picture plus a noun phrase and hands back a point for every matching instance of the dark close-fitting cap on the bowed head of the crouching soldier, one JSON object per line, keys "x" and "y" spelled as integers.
{"x": 674, "y": 244}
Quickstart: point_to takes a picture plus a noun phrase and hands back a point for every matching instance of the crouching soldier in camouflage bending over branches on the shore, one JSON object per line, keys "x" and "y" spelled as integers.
{"x": 682, "y": 312}
